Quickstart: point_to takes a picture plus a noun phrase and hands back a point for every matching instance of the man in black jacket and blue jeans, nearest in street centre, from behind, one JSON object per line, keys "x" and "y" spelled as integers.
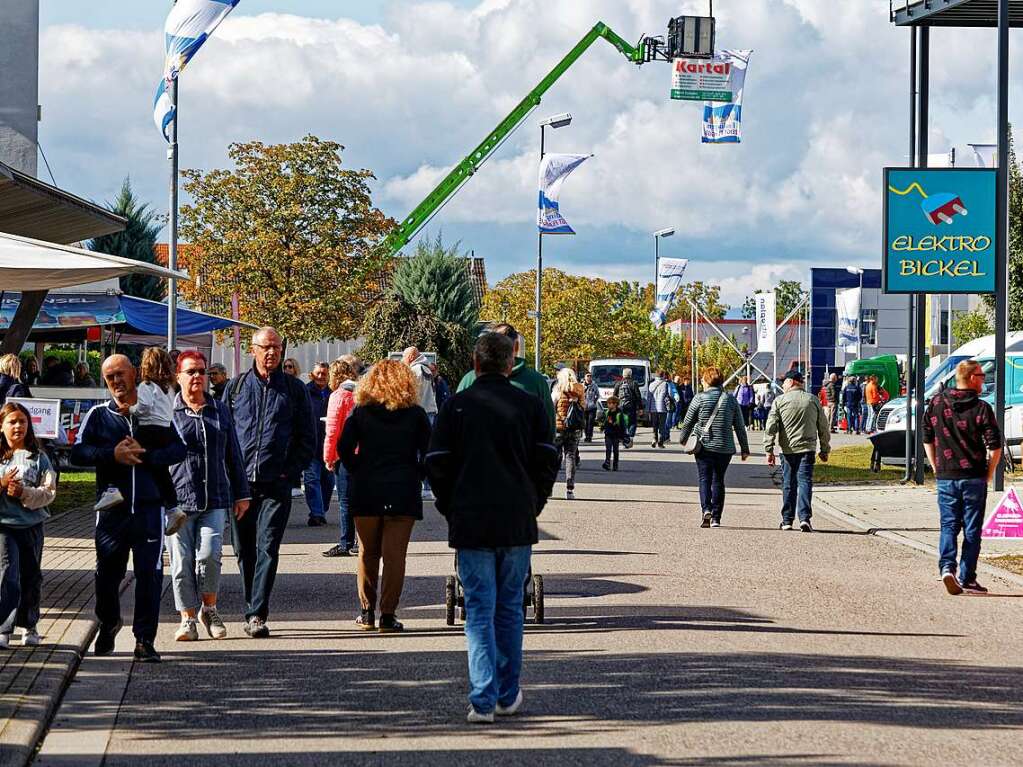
{"x": 493, "y": 466}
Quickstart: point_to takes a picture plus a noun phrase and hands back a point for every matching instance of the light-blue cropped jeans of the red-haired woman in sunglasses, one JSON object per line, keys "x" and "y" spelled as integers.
{"x": 196, "y": 558}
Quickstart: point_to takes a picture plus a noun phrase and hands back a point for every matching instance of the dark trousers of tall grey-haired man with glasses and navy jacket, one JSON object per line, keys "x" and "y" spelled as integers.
{"x": 257, "y": 544}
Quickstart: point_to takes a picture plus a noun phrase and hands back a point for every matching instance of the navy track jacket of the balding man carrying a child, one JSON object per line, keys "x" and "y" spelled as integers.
{"x": 100, "y": 433}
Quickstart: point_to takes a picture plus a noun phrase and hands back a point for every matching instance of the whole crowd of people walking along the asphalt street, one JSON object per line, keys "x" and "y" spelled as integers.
{"x": 181, "y": 452}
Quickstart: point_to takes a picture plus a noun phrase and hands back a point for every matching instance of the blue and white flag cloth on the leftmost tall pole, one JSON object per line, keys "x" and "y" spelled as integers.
{"x": 189, "y": 26}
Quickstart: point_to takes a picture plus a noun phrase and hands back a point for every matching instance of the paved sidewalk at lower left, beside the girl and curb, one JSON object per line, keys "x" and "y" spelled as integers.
{"x": 32, "y": 680}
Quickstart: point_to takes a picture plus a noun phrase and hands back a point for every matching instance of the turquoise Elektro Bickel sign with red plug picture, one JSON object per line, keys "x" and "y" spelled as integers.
{"x": 940, "y": 231}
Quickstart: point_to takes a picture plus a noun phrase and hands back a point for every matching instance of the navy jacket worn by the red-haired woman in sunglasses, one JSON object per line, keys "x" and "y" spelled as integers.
{"x": 212, "y": 475}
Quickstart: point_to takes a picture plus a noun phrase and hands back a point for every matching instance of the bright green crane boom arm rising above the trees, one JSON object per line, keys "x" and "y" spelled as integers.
{"x": 412, "y": 224}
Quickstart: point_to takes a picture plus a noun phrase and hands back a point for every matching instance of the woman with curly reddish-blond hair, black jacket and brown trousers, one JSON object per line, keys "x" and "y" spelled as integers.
{"x": 383, "y": 447}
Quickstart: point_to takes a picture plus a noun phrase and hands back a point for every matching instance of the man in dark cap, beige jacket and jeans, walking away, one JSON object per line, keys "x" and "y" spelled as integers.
{"x": 797, "y": 423}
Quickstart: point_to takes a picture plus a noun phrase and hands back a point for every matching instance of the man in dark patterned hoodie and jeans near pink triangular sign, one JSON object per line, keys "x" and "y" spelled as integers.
{"x": 964, "y": 445}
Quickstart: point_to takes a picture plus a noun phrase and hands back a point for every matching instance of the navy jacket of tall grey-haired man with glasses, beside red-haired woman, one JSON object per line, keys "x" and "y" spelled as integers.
{"x": 275, "y": 424}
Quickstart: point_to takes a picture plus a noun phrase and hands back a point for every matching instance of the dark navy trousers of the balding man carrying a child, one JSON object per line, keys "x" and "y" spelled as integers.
{"x": 142, "y": 535}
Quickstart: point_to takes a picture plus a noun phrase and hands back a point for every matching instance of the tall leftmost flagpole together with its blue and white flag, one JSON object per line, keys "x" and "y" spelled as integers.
{"x": 189, "y": 26}
